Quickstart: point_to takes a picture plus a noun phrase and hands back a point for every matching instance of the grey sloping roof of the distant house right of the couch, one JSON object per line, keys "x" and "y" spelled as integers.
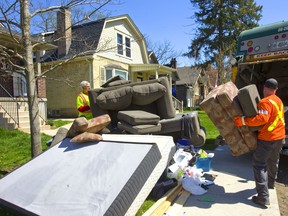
{"x": 188, "y": 75}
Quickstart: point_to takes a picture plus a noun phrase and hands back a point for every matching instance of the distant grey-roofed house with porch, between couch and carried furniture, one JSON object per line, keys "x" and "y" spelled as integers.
{"x": 192, "y": 87}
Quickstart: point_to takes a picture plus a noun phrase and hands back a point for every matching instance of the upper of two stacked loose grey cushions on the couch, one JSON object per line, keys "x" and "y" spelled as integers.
{"x": 138, "y": 117}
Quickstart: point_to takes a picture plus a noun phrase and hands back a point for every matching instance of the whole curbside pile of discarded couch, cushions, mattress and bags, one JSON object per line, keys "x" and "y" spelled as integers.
{"x": 110, "y": 164}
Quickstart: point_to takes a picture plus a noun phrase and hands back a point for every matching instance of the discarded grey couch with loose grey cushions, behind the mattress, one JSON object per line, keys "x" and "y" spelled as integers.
{"x": 144, "y": 108}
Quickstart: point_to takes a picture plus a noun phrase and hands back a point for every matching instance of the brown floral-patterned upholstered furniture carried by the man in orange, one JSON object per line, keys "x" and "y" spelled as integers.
{"x": 221, "y": 106}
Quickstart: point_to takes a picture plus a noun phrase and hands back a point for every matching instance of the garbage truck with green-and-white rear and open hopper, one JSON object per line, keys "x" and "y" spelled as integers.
{"x": 262, "y": 53}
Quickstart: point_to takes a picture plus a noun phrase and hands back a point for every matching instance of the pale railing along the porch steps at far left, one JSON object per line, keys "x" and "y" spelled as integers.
{"x": 9, "y": 105}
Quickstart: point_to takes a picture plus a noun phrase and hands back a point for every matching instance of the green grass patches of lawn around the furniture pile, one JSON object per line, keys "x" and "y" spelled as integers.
{"x": 15, "y": 149}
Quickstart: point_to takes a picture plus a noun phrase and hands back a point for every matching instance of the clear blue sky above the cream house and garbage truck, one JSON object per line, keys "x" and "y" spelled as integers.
{"x": 170, "y": 20}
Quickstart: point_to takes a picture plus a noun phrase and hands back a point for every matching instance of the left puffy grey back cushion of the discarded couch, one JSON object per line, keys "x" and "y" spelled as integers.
{"x": 117, "y": 99}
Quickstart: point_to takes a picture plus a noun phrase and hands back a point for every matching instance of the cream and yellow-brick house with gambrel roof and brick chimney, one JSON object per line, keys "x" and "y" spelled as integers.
{"x": 99, "y": 50}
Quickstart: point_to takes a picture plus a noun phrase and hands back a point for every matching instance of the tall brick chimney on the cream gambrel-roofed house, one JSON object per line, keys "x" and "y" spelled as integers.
{"x": 64, "y": 32}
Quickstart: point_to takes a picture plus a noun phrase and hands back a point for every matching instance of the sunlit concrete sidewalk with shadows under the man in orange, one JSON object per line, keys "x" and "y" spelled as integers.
{"x": 233, "y": 189}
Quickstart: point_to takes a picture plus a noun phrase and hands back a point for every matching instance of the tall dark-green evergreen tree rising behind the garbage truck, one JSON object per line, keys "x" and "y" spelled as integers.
{"x": 219, "y": 22}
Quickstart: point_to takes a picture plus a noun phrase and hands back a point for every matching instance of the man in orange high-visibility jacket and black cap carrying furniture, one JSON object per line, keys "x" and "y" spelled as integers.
{"x": 270, "y": 140}
